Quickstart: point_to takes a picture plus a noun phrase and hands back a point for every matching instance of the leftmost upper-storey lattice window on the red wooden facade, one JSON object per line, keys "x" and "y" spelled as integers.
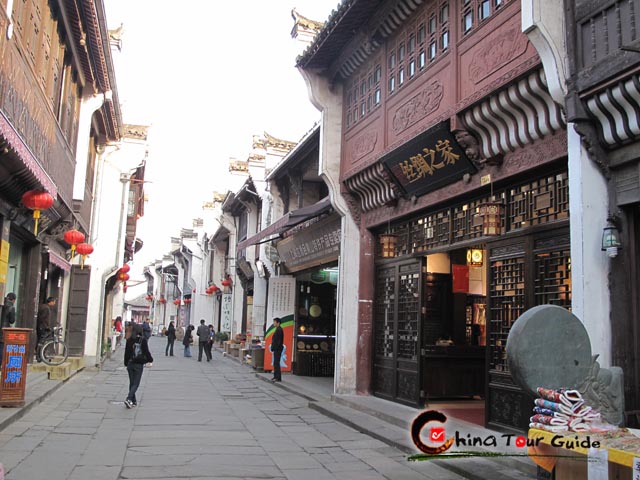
{"x": 363, "y": 92}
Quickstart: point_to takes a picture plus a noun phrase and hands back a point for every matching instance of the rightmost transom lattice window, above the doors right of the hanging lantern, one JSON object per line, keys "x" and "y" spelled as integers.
{"x": 540, "y": 201}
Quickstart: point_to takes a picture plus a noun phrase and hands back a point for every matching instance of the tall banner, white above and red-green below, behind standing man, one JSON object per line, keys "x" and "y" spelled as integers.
{"x": 281, "y": 303}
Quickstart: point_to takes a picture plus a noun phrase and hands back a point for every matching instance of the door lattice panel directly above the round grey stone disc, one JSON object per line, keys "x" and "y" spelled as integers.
{"x": 553, "y": 278}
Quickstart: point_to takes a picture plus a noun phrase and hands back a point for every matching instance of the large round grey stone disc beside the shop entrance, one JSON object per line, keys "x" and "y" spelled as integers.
{"x": 548, "y": 347}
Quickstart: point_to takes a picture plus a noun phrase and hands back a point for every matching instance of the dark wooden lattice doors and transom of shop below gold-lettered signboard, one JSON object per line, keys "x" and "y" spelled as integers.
{"x": 528, "y": 264}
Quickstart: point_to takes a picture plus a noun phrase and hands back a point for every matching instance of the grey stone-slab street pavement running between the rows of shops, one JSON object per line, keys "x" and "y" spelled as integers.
{"x": 194, "y": 420}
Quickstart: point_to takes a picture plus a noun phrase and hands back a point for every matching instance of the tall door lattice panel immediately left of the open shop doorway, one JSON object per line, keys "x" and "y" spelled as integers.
{"x": 408, "y": 315}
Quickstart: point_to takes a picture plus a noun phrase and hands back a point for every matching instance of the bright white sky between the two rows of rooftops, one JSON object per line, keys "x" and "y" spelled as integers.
{"x": 206, "y": 75}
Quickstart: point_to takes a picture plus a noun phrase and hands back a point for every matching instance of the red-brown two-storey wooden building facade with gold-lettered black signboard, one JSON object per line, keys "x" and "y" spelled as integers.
{"x": 453, "y": 164}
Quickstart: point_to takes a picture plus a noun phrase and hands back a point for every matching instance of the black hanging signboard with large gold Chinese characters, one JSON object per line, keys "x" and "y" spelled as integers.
{"x": 429, "y": 161}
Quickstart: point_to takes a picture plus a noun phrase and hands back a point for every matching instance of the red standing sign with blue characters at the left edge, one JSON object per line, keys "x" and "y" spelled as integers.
{"x": 15, "y": 356}
